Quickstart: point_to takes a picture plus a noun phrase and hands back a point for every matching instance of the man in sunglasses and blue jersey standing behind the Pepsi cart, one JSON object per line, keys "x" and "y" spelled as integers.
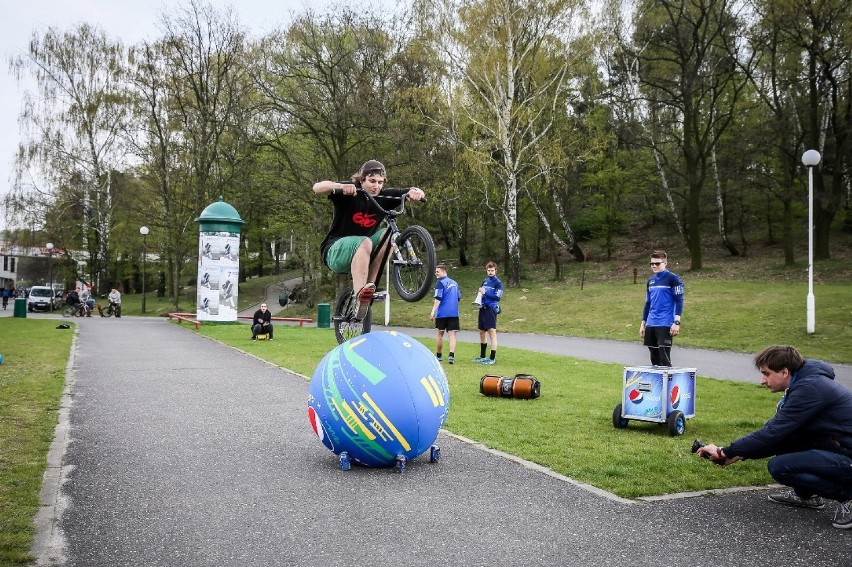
{"x": 663, "y": 308}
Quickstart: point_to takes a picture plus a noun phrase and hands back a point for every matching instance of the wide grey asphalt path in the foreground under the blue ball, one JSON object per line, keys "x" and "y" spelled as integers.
{"x": 175, "y": 450}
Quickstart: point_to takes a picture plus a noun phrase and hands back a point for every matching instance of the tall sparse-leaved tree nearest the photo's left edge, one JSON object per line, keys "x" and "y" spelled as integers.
{"x": 72, "y": 136}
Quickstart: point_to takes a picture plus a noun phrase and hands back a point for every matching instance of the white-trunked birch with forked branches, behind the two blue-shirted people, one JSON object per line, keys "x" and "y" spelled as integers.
{"x": 514, "y": 62}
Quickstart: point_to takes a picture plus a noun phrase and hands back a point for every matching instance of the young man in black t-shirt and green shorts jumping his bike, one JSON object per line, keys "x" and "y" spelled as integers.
{"x": 348, "y": 246}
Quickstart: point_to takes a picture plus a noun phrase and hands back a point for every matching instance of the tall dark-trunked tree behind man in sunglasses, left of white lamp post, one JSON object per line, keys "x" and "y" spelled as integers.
{"x": 687, "y": 68}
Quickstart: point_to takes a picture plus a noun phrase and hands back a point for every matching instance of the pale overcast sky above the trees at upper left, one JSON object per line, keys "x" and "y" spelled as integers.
{"x": 129, "y": 20}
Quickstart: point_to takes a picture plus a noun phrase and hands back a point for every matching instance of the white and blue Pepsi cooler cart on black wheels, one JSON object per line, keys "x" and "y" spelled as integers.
{"x": 657, "y": 394}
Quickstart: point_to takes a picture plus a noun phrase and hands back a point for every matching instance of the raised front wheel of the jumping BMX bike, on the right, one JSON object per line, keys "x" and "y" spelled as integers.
{"x": 413, "y": 263}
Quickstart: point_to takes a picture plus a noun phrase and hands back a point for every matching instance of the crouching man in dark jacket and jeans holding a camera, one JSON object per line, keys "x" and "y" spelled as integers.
{"x": 809, "y": 438}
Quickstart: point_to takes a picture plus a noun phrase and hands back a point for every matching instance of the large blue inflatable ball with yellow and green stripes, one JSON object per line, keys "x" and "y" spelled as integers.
{"x": 377, "y": 396}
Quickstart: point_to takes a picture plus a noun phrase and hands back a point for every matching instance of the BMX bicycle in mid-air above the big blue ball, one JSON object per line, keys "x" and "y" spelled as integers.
{"x": 412, "y": 256}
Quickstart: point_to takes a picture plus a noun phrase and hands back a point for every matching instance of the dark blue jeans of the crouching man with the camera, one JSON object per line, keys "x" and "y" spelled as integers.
{"x": 813, "y": 472}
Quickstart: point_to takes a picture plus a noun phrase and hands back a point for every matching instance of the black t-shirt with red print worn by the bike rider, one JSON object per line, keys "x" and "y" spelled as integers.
{"x": 355, "y": 215}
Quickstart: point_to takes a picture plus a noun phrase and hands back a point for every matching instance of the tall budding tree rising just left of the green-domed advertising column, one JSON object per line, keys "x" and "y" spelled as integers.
{"x": 190, "y": 92}
